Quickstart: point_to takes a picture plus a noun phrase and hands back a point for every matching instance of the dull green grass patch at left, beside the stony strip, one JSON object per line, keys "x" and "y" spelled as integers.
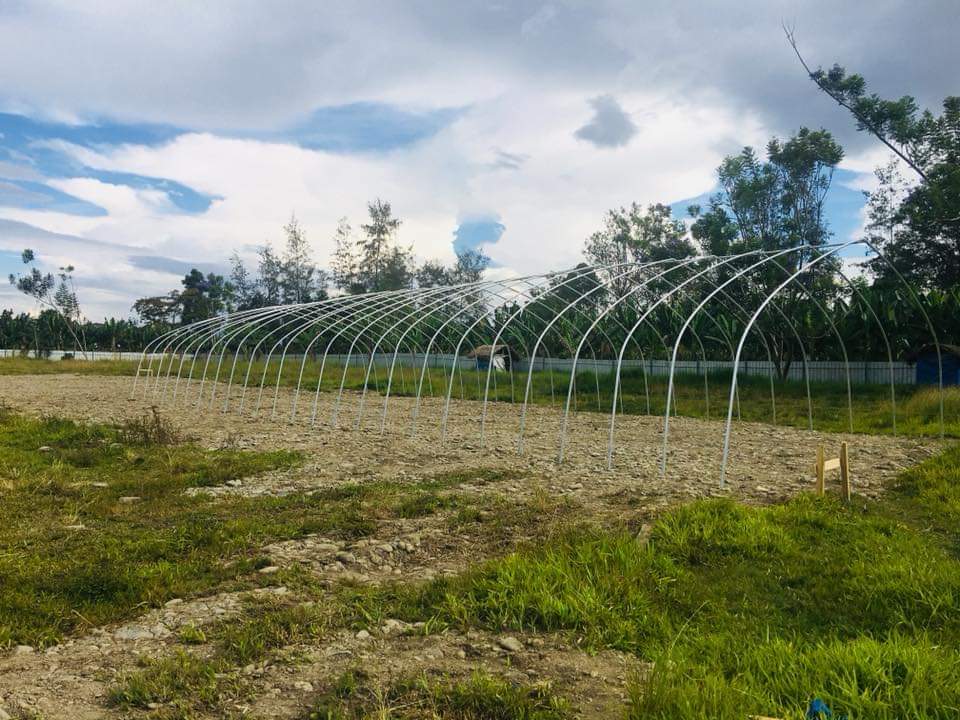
{"x": 73, "y": 555}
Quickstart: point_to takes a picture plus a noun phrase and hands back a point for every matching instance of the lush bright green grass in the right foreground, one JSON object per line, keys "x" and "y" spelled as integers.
{"x": 742, "y": 610}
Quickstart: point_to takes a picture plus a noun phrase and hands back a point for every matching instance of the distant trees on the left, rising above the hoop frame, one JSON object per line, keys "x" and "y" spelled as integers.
{"x": 370, "y": 260}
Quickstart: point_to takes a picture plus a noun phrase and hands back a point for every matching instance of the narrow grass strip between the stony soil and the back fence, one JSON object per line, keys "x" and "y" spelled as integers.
{"x": 917, "y": 407}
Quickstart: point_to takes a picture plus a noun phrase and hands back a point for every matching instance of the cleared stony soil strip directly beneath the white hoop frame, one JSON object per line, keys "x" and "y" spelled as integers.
{"x": 765, "y": 460}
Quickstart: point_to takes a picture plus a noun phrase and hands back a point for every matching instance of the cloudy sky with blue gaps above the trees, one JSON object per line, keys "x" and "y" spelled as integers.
{"x": 138, "y": 140}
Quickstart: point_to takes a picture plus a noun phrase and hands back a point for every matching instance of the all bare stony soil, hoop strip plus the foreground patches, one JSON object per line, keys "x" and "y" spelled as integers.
{"x": 767, "y": 464}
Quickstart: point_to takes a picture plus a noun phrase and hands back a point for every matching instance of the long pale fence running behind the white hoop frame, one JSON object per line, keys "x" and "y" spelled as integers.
{"x": 861, "y": 372}
